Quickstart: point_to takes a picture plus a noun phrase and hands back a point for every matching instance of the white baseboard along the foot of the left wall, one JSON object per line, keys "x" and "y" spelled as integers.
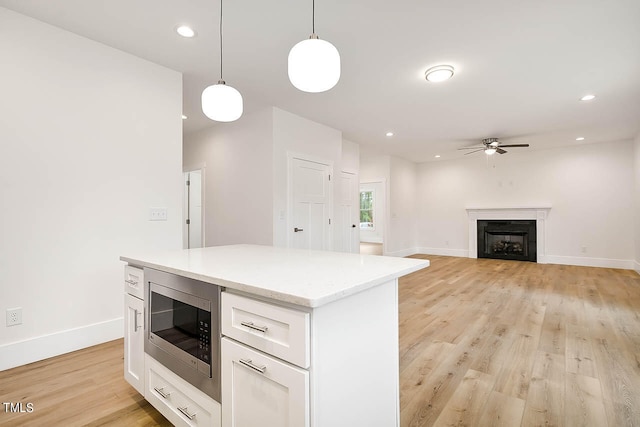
{"x": 39, "y": 348}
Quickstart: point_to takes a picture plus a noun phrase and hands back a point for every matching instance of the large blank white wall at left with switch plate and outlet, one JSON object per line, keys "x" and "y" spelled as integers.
{"x": 90, "y": 139}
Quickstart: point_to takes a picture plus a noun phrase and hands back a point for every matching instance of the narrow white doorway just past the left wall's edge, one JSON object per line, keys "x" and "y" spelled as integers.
{"x": 193, "y": 209}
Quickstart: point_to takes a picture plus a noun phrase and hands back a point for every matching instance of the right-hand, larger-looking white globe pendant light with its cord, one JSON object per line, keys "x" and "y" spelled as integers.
{"x": 314, "y": 64}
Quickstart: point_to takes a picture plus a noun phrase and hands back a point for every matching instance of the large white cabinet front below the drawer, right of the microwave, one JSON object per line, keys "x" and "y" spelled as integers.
{"x": 258, "y": 390}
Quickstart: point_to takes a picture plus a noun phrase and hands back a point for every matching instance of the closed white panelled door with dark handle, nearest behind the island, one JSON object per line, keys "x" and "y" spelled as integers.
{"x": 310, "y": 205}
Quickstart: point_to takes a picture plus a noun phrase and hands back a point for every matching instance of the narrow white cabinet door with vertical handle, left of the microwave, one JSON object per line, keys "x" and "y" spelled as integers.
{"x": 134, "y": 342}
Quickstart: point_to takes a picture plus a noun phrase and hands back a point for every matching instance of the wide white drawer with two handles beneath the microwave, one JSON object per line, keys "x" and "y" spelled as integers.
{"x": 180, "y": 402}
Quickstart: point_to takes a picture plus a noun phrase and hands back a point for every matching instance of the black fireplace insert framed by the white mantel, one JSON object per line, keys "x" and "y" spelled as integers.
{"x": 507, "y": 239}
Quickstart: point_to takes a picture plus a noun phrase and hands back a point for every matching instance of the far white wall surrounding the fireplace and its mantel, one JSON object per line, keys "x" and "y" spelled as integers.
{"x": 589, "y": 187}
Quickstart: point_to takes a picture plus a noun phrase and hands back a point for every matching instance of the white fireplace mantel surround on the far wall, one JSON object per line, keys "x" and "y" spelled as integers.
{"x": 539, "y": 213}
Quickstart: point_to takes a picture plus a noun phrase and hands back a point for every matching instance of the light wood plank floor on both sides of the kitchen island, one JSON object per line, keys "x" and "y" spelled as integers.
{"x": 482, "y": 343}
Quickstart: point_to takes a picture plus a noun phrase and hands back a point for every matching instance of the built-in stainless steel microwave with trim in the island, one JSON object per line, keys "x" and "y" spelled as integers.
{"x": 183, "y": 328}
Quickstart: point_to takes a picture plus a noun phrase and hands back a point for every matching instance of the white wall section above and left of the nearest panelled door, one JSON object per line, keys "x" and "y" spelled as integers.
{"x": 297, "y": 135}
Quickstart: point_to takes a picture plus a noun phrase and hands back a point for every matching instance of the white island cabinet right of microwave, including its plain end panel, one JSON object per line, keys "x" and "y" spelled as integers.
{"x": 346, "y": 354}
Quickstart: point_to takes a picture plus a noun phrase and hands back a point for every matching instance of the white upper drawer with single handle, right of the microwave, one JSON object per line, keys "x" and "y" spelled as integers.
{"x": 276, "y": 330}
